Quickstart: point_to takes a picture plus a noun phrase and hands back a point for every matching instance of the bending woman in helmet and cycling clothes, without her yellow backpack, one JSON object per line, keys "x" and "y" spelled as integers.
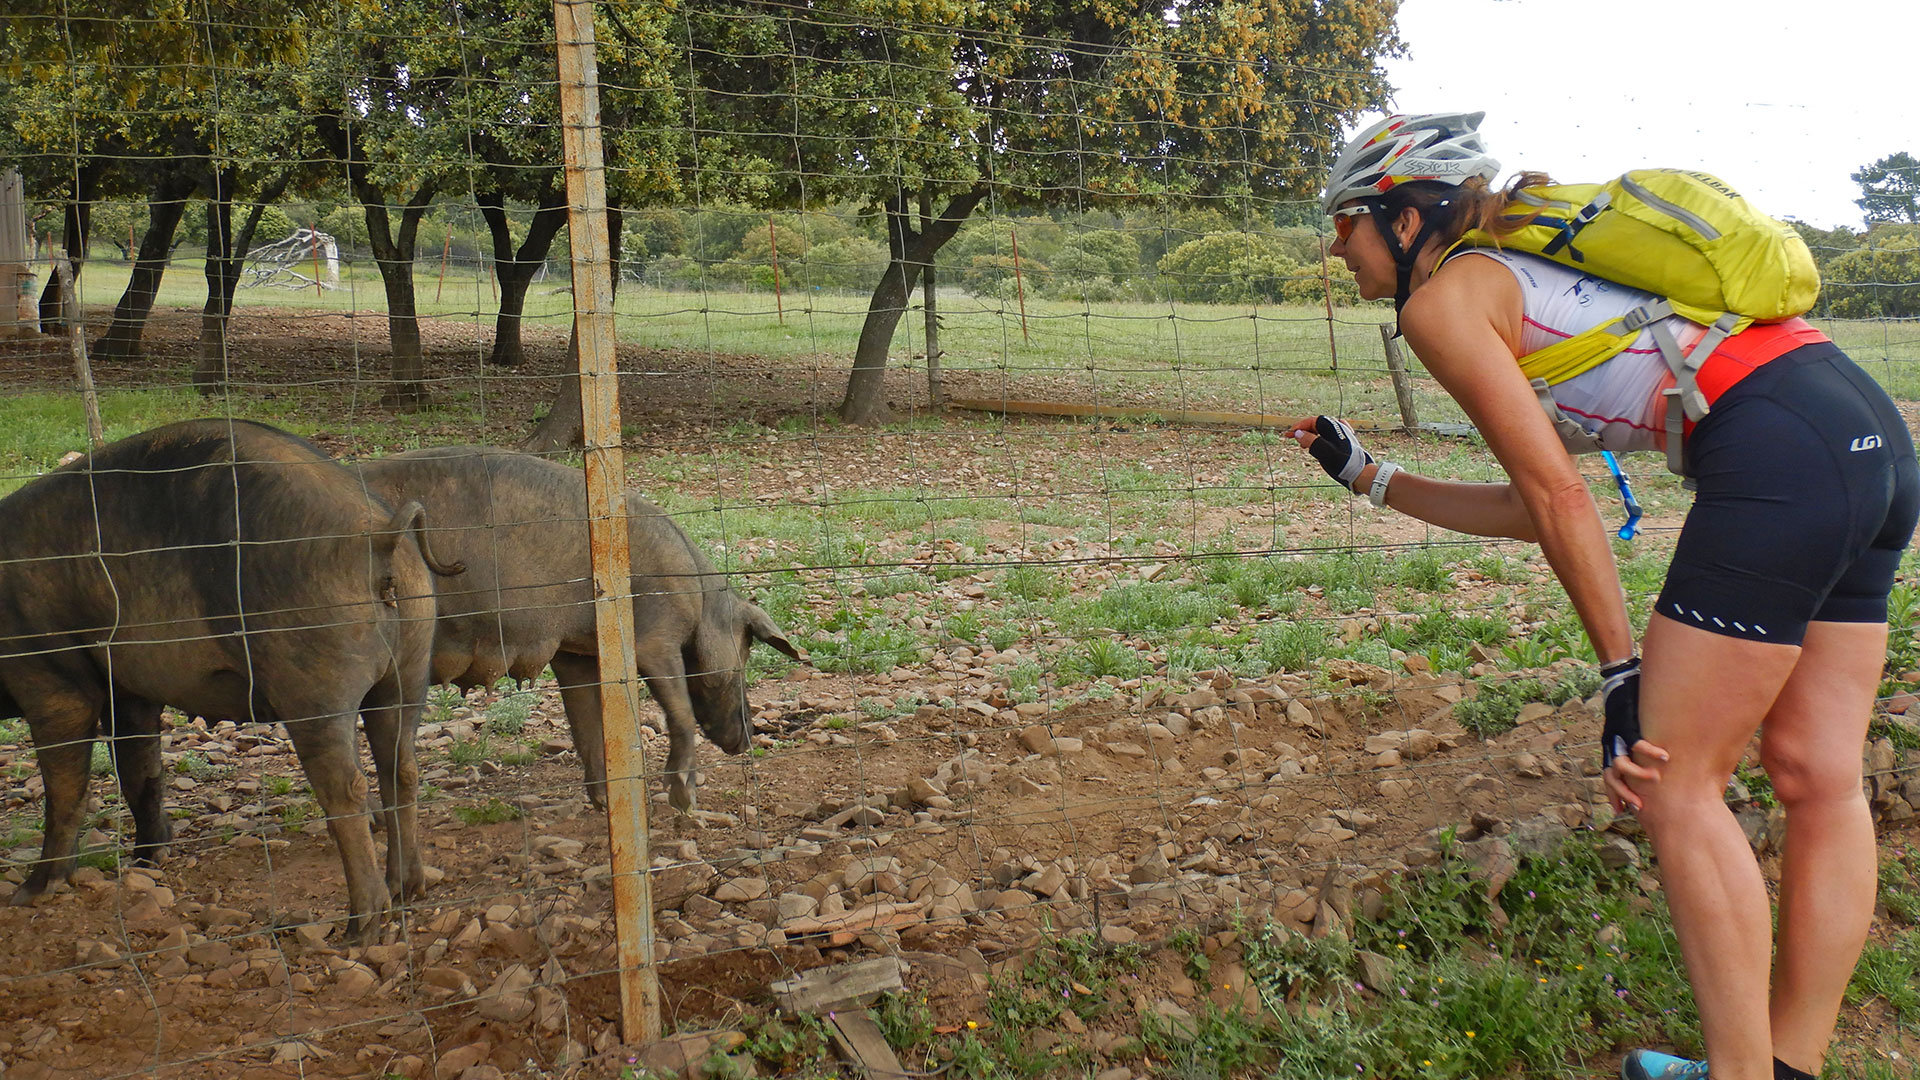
{"x": 1775, "y": 606}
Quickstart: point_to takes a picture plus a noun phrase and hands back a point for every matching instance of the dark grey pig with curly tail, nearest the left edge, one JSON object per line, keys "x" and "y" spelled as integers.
{"x": 228, "y": 570}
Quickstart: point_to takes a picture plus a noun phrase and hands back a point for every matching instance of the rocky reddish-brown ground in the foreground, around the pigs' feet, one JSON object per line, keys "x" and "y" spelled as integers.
{"x": 951, "y": 837}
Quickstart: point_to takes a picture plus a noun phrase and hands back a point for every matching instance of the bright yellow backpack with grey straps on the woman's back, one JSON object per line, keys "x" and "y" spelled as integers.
{"x": 1691, "y": 241}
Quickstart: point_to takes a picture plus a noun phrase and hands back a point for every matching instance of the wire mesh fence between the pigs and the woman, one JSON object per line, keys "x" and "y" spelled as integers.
{"x": 978, "y": 599}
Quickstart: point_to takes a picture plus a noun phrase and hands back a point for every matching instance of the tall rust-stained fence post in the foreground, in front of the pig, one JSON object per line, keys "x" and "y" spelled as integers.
{"x": 613, "y": 583}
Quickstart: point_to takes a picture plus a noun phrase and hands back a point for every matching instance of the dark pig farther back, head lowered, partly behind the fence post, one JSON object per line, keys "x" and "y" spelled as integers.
{"x": 527, "y": 601}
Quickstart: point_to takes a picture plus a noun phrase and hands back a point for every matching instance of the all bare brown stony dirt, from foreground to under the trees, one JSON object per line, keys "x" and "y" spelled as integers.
{"x": 953, "y": 837}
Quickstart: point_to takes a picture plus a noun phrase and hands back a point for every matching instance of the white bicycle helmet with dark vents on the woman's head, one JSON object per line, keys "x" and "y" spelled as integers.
{"x": 1410, "y": 147}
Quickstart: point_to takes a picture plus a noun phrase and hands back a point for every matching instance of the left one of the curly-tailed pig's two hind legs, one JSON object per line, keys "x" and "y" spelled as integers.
{"x": 324, "y": 741}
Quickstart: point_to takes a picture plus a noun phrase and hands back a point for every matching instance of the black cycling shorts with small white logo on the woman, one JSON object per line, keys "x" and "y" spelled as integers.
{"x": 1808, "y": 497}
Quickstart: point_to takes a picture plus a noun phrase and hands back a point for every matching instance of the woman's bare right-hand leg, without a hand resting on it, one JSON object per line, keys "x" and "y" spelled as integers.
{"x": 1812, "y": 749}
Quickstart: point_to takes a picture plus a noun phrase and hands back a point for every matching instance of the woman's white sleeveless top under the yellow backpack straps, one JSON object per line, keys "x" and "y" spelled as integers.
{"x": 1618, "y": 401}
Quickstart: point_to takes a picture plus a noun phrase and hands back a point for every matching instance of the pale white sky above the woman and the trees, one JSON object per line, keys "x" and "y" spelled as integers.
{"x": 1779, "y": 99}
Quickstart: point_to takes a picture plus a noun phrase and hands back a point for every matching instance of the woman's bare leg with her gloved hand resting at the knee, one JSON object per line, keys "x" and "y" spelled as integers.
{"x": 1702, "y": 700}
